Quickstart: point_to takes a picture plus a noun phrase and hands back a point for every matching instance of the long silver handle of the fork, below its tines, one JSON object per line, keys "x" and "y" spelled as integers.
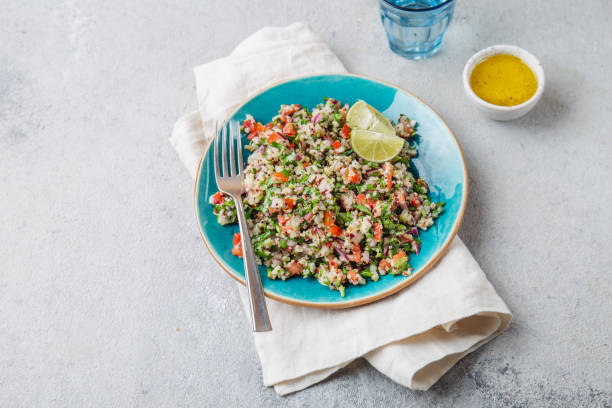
{"x": 259, "y": 312}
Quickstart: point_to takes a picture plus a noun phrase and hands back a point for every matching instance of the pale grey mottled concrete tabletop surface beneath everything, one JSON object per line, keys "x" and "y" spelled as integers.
{"x": 107, "y": 294}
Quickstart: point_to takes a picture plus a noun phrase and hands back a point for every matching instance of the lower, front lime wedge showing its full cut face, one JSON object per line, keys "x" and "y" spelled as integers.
{"x": 375, "y": 146}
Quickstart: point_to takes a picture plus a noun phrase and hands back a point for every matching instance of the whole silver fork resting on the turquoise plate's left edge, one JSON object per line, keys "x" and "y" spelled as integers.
{"x": 231, "y": 183}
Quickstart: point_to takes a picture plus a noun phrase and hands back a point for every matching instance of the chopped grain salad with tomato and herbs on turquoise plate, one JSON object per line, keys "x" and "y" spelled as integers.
{"x": 316, "y": 209}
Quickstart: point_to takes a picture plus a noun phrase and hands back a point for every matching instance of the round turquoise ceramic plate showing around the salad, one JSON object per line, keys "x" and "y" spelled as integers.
{"x": 440, "y": 162}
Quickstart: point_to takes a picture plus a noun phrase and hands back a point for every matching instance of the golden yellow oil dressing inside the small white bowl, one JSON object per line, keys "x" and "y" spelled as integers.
{"x": 503, "y": 80}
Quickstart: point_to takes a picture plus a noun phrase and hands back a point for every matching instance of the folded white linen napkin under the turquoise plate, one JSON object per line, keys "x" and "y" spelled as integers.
{"x": 414, "y": 336}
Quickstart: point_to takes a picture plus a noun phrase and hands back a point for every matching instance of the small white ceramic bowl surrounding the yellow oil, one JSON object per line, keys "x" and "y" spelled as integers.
{"x": 497, "y": 112}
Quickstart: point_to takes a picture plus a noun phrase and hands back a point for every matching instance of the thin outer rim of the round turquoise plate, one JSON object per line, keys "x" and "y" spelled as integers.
{"x": 371, "y": 298}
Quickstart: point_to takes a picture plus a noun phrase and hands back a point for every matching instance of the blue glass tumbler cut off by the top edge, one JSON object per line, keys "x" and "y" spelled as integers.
{"x": 415, "y": 28}
